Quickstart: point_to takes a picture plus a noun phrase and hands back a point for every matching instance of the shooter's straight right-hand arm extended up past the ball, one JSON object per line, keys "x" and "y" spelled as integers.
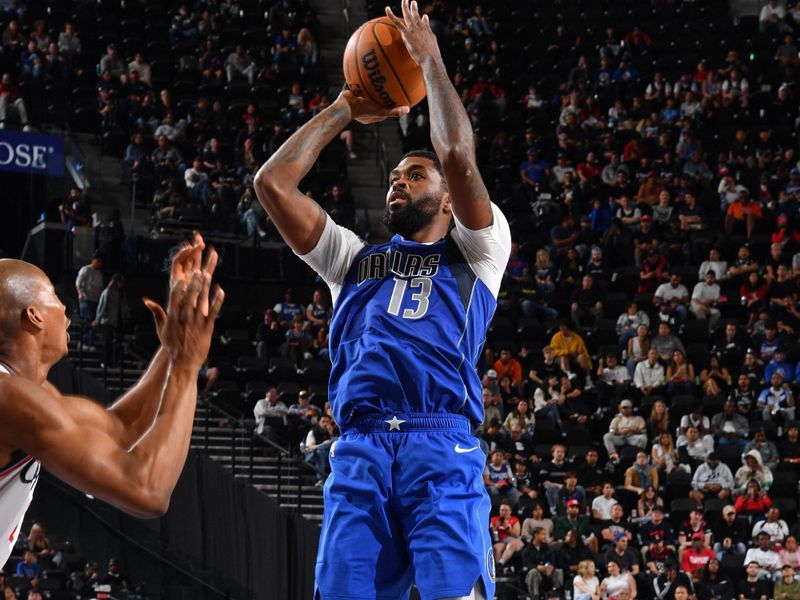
{"x": 451, "y": 131}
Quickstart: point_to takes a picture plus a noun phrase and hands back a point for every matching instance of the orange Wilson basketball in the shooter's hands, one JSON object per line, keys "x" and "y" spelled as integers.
{"x": 377, "y": 66}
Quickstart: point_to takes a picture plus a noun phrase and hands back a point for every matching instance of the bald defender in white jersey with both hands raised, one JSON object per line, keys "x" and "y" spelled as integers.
{"x": 130, "y": 455}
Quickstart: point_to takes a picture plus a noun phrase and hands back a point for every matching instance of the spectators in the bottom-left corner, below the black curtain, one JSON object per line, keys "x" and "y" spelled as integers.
{"x": 48, "y": 569}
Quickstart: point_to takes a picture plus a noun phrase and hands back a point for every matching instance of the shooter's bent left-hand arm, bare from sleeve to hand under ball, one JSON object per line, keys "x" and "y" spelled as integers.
{"x": 298, "y": 218}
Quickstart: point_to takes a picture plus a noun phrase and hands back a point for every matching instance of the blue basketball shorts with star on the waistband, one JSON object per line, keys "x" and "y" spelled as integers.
{"x": 405, "y": 503}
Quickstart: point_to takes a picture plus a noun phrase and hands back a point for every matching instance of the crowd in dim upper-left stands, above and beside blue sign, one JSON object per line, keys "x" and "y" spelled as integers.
{"x": 193, "y": 97}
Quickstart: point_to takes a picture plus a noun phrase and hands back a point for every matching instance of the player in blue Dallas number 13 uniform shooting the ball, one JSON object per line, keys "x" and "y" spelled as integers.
{"x": 405, "y": 500}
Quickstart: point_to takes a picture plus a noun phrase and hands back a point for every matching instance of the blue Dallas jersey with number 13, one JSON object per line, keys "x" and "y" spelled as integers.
{"x": 406, "y": 332}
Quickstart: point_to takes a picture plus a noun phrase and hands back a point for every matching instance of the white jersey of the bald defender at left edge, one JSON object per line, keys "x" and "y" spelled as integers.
{"x": 17, "y": 482}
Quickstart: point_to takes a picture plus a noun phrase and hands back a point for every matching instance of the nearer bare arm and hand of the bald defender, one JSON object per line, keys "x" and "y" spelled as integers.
{"x": 140, "y": 480}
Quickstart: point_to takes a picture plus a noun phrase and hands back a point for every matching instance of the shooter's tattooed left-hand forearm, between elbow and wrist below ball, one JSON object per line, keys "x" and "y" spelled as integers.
{"x": 294, "y": 159}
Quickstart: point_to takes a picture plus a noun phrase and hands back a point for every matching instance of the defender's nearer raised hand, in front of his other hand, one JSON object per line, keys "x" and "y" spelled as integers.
{"x": 189, "y": 325}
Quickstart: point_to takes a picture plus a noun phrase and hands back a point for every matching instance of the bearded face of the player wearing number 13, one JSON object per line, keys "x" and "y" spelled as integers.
{"x": 415, "y": 196}
